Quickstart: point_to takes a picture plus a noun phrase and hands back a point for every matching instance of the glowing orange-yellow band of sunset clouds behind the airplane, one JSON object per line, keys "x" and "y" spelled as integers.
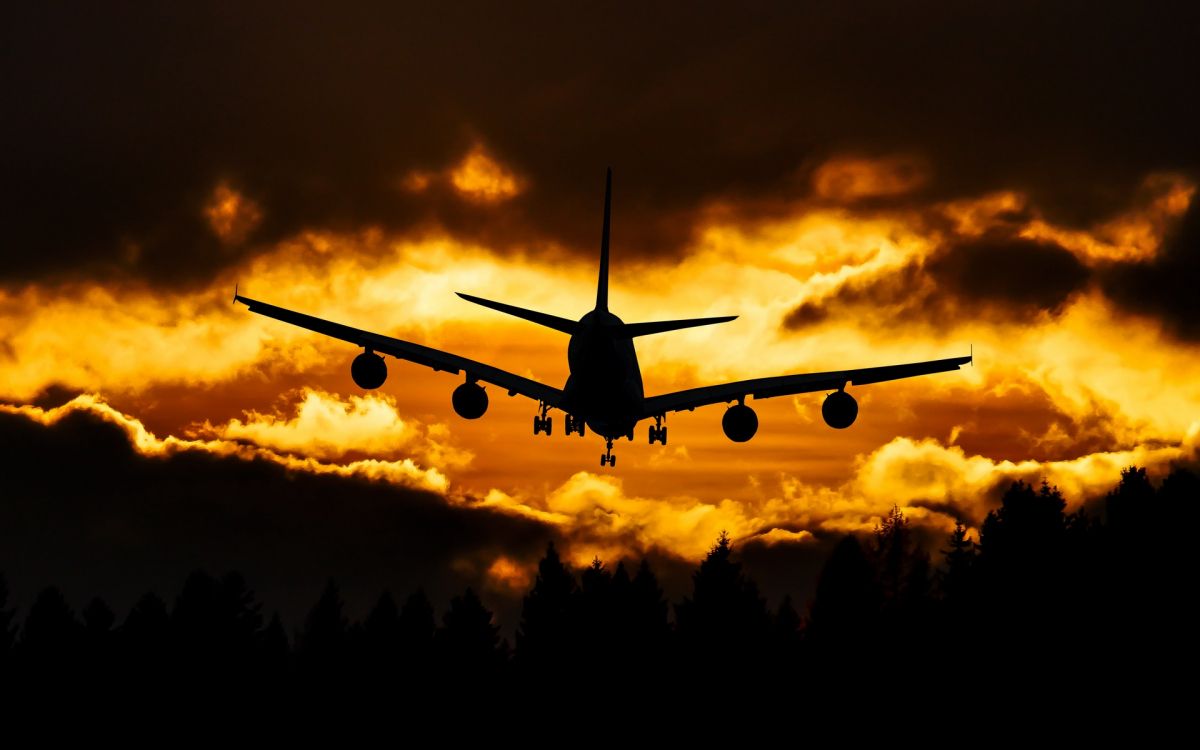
{"x": 129, "y": 343}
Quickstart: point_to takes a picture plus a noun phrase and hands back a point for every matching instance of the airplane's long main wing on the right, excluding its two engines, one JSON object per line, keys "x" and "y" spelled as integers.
{"x": 789, "y": 386}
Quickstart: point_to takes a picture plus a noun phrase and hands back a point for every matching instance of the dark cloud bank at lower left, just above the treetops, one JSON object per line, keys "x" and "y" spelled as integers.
{"x": 83, "y": 511}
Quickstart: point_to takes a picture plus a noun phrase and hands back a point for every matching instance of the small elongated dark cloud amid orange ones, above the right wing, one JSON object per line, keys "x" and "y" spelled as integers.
{"x": 998, "y": 277}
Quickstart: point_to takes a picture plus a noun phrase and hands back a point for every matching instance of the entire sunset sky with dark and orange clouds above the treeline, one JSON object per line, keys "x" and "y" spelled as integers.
{"x": 862, "y": 183}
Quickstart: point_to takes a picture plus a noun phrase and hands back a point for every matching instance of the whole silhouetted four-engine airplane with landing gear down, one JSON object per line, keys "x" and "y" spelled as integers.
{"x": 604, "y": 389}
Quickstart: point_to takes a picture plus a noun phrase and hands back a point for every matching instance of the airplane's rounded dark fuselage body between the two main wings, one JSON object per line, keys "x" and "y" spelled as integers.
{"x": 605, "y": 386}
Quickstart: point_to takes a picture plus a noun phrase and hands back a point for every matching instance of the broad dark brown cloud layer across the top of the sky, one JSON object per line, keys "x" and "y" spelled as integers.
{"x": 119, "y": 121}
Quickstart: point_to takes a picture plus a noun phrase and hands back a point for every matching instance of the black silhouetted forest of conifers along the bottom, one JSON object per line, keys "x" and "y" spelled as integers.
{"x": 1052, "y": 598}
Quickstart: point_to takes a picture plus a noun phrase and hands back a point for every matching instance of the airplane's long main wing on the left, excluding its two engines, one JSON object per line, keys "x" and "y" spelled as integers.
{"x": 436, "y": 359}
